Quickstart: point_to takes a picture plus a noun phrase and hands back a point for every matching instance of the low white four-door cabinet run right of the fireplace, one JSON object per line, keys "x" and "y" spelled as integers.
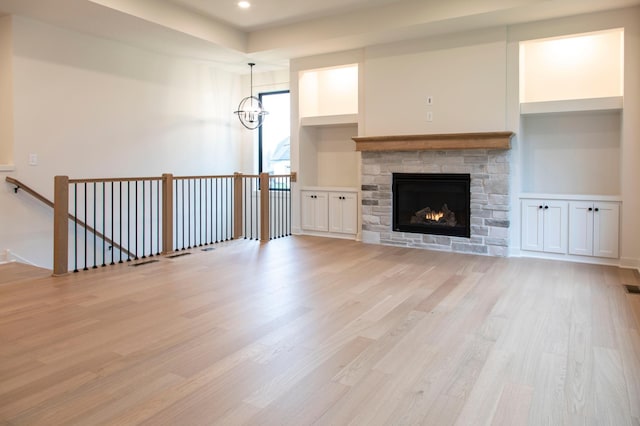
{"x": 574, "y": 226}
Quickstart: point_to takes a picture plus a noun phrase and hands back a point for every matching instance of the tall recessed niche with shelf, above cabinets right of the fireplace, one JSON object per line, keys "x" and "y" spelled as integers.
{"x": 571, "y": 103}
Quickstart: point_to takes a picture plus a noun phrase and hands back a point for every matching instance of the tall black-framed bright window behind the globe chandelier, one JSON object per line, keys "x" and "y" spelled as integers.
{"x": 274, "y": 135}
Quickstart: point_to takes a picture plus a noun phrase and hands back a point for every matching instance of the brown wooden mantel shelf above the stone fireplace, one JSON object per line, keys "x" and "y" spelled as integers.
{"x": 483, "y": 140}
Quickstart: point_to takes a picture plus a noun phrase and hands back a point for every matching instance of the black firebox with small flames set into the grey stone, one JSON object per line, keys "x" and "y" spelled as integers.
{"x": 432, "y": 203}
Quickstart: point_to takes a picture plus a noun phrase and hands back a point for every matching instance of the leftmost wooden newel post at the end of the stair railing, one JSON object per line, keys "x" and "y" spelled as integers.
{"x": 61, "y": 225}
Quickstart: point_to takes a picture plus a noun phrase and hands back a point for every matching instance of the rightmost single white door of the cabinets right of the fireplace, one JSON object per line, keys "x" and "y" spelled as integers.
{"x": 606, "y": 223}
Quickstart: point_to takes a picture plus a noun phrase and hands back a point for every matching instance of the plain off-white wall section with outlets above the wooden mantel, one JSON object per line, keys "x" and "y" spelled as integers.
{"x": 464, "y": 73}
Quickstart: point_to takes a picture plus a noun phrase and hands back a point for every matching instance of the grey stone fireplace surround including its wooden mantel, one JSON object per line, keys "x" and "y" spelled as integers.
{"x": 484, "y": 157}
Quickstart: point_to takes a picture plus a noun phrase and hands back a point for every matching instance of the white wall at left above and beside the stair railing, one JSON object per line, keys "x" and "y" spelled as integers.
{"x": 90, "y": 107}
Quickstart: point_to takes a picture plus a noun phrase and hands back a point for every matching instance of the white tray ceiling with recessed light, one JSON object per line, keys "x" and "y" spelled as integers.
{"x": 273, "y": 31}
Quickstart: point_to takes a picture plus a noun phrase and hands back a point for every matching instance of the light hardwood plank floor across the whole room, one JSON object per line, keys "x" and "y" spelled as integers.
{"x": 307, "y": 330}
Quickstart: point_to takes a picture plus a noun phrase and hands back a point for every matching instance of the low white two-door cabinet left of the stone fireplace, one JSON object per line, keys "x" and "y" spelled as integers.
{"x": 330, "y": 213}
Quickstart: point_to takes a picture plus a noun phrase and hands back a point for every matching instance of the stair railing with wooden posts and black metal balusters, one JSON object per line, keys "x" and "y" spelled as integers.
{"x": 146, "y": 217}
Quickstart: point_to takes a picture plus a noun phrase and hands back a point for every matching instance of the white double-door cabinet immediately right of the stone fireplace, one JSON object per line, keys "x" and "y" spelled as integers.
{"x": 544, "y": 226}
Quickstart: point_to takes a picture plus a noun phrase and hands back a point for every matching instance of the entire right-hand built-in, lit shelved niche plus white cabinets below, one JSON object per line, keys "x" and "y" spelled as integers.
{"x": 570, "y": 133}
